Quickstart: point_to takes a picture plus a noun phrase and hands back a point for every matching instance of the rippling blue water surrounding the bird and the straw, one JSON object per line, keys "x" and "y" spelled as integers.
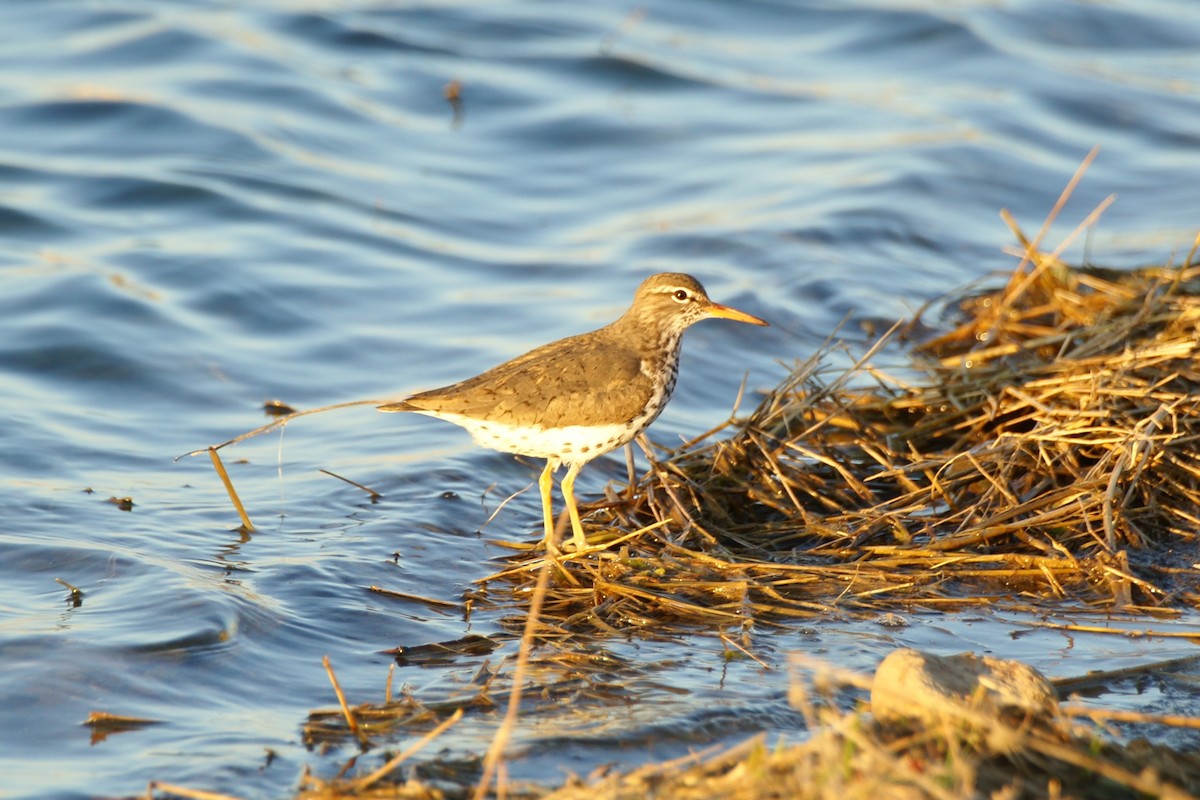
{"x": 206, "y": 207}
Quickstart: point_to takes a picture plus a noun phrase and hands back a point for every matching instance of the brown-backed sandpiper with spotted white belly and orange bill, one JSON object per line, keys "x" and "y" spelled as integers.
{"x": 578, "y": 399}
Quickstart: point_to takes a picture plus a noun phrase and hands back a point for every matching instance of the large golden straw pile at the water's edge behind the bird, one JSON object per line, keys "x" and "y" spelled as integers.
{"x": 1046, "y": 450}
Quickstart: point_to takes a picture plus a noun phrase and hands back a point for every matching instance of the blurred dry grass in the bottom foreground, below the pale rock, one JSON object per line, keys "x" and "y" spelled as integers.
{"x": 851, "y": 757}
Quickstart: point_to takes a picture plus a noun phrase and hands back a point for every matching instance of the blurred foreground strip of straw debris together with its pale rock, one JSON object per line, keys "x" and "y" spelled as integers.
{"x": 962, "y": 727}
